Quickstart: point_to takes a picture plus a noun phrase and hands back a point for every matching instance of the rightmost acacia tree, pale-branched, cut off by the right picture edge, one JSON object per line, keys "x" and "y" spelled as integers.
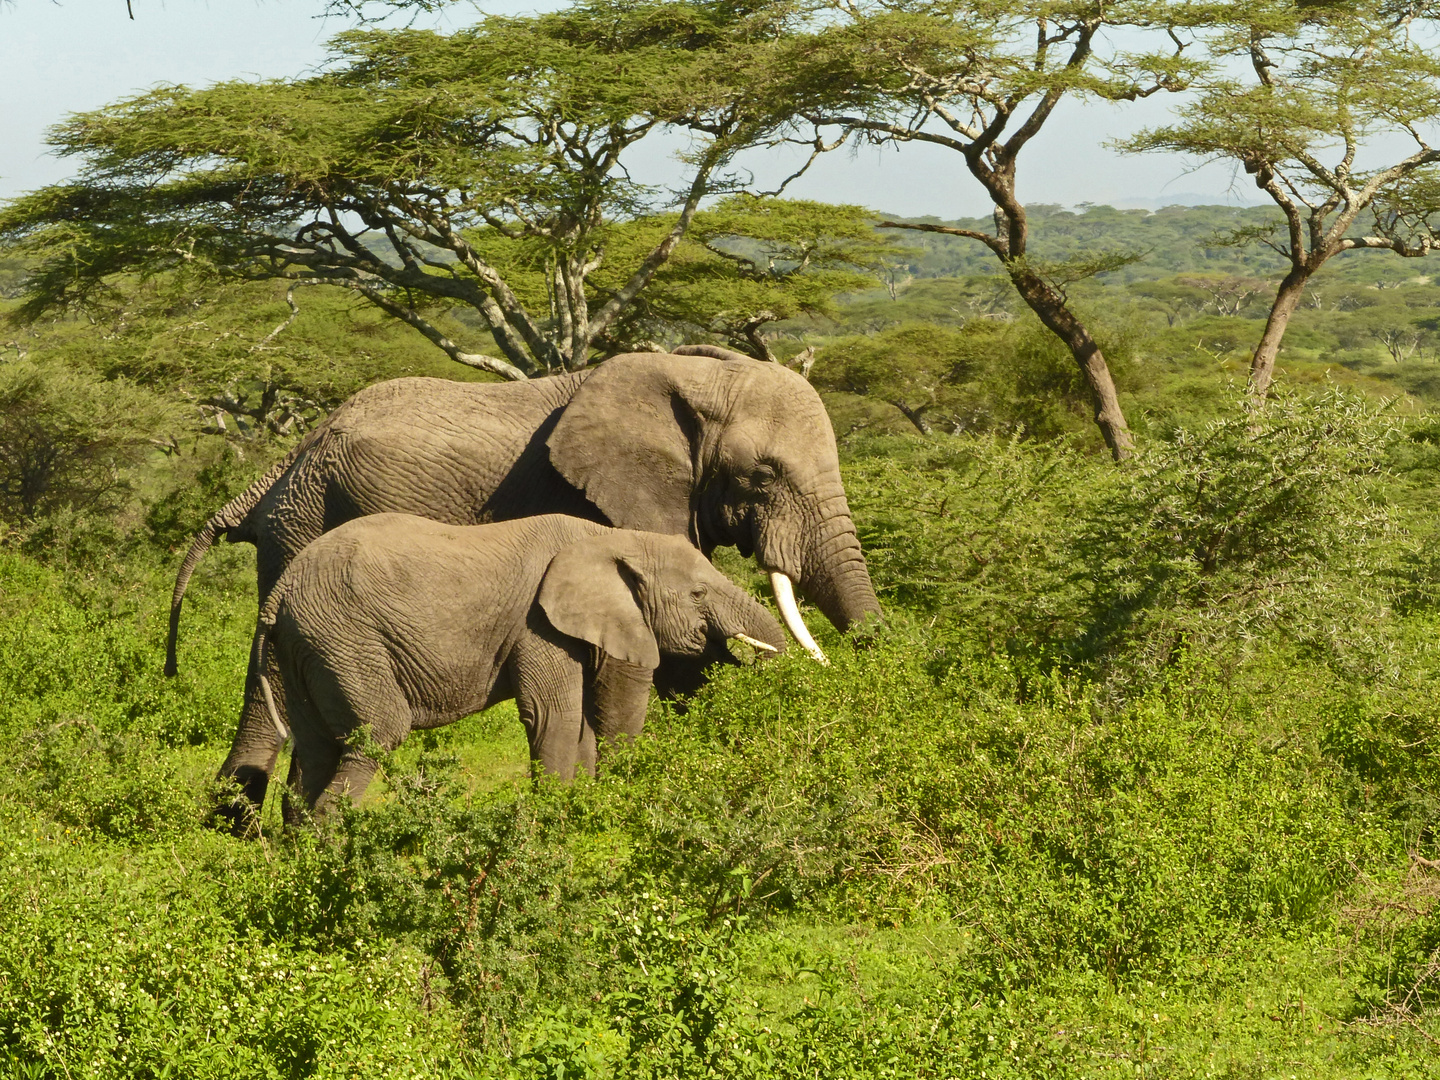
{"x": 1324, "y": 89}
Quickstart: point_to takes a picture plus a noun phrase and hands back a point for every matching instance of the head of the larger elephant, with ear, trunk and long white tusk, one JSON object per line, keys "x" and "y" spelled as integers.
{"x": 724, "y": 453}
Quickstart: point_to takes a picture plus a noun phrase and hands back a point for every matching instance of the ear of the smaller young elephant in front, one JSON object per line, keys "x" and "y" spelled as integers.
{"x": 587, "y": 593}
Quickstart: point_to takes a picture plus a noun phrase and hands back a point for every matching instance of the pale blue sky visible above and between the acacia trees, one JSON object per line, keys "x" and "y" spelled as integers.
{"x": 76, "y": 55}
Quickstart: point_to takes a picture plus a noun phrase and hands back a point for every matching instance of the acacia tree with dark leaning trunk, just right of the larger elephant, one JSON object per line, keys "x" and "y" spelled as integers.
{"x": 983, "y": 78}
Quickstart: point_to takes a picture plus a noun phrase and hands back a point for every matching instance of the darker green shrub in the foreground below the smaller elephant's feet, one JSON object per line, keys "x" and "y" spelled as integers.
{"x": 487, "y": 891}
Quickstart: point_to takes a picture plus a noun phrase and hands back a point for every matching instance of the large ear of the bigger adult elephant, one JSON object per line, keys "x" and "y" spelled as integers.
{"x": 631, "y": 437}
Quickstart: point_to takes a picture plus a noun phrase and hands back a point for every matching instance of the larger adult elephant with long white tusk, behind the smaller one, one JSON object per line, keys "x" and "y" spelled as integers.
{"x": 711, "y": 446}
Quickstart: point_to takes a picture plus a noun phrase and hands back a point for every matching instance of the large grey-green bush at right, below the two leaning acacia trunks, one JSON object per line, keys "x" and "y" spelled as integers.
{"x": 1258, "y": 525}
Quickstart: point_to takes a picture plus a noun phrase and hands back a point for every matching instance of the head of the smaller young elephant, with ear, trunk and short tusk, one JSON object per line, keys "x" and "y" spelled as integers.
{"x": 636, "y": 597}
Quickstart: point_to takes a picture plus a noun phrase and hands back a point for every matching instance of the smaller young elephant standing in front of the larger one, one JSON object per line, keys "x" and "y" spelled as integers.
{"x": 394, "y": 623}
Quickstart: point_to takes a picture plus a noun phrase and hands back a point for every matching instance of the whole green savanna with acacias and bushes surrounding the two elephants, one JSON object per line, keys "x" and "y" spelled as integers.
{"x": 1140, "y": 775}
